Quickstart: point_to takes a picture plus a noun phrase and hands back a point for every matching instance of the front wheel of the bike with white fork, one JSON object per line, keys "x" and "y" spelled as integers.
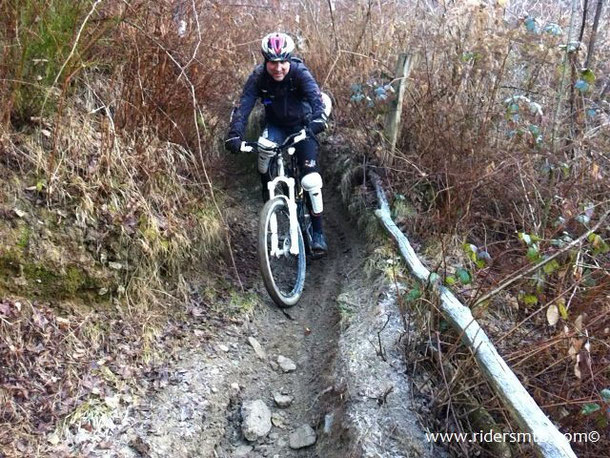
{"x": 283, "y": 272}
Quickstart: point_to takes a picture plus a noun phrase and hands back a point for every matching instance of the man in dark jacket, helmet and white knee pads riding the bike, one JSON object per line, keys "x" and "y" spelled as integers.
{"x": 292, "y": 101}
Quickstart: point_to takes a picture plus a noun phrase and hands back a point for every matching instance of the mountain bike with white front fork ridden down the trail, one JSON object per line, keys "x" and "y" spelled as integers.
{"x": 284, "y": 232}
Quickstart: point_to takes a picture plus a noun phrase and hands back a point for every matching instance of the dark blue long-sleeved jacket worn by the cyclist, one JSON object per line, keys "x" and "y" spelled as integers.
{"x": 294, "y": 101}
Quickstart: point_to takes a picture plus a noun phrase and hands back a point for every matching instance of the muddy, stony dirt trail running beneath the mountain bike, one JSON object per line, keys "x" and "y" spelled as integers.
{"x": 293, "y": 365}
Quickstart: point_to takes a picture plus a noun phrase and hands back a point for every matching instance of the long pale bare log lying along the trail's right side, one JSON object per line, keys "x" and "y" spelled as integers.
{"x": 548, "y": 441}
